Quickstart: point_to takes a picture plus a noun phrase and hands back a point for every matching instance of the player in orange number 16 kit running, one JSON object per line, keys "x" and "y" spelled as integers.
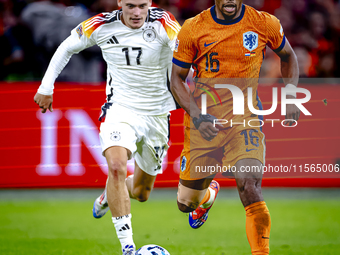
{"x": 226, "y": 45}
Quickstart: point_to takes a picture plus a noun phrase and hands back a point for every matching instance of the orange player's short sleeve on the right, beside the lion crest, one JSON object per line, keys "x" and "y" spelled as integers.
{"x": 275, "y": 36}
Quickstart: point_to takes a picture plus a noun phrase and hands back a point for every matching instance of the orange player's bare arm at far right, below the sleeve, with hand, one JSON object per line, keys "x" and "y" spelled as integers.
{"x": 290, "y": 76}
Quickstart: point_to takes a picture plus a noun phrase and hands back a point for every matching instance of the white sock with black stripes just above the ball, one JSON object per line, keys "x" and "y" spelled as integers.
{"x": 124, "y": 229}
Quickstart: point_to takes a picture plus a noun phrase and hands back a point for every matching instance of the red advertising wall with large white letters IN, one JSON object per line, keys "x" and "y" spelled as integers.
{"x": 315, "y": 140}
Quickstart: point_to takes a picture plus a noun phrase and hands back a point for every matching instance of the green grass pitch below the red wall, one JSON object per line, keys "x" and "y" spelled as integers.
{"x": 304, "y": 221}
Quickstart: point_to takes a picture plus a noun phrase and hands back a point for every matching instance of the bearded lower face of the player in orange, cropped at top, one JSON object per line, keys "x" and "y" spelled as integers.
{"x": 228, "y": 9}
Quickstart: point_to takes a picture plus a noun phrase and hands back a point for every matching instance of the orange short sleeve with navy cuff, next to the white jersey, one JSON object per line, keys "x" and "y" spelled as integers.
{"x": 185, "y": 49}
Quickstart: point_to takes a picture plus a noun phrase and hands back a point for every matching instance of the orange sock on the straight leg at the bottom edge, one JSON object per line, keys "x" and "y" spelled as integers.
{"x": 258, "y": 227}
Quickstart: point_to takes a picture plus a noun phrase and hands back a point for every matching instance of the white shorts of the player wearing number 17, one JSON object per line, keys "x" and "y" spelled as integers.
{"x": 145, "y": 136}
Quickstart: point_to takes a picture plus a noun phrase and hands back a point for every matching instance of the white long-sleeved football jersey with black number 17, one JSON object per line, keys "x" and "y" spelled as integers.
{"x": 138, "y": 60}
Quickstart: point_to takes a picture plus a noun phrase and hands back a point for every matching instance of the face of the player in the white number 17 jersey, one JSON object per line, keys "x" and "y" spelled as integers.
{"x": 134, "y": 12}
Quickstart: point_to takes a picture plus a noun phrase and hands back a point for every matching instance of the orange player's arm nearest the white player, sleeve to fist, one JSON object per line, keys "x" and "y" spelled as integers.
{"x": 184, "y": 54}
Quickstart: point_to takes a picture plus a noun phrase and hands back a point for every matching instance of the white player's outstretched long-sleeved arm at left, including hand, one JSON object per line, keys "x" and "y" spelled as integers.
{"x": 81, "y": 38}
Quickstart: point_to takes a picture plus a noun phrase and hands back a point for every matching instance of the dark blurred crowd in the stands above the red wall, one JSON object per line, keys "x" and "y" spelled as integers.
{"x": 31, "y": 31}
